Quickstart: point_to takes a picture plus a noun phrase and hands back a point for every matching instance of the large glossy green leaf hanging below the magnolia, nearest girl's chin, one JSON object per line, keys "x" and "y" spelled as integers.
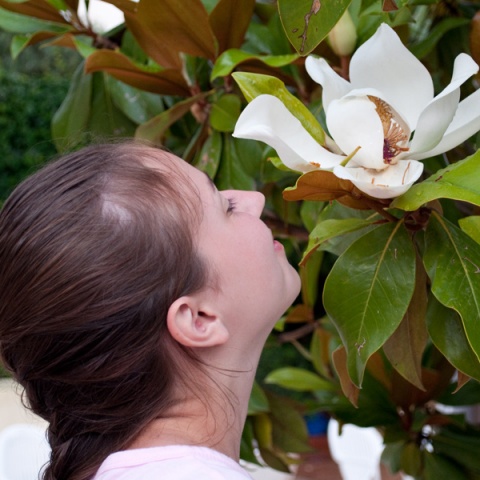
{"x": 377, "y": 276}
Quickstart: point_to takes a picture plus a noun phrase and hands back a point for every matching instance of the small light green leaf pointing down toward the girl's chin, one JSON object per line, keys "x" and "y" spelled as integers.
{"x": 328, "y": 229}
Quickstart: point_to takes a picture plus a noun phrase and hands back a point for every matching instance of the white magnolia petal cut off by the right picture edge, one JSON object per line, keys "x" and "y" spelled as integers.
{"x": 465, "y": 124}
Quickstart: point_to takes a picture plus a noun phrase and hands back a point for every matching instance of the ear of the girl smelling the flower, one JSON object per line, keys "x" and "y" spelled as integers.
{"x": 193, "y": 326}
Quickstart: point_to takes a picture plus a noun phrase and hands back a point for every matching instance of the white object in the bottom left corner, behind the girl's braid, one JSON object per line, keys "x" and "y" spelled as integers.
{"x": 24, "y": 450}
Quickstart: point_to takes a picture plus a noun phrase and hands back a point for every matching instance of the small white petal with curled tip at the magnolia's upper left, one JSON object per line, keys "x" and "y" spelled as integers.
{"x": 334, "y": 86}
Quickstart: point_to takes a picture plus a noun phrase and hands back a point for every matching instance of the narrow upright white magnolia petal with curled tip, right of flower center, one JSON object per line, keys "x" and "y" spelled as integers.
{"x": 438, "y": 115}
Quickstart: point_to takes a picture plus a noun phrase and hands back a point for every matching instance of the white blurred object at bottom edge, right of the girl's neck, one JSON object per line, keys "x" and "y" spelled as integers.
{"x": 356, "y": 450}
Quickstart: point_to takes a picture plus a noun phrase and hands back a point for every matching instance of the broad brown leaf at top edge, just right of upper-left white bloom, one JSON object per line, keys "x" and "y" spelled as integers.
{"x": 166, "y": 28}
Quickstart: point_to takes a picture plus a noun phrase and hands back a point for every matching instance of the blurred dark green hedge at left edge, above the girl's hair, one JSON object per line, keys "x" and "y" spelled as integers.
{"x": 32, "y": 87}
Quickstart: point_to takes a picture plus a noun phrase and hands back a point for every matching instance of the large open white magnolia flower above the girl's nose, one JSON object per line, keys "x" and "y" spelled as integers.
{"x": 371, "y": 119}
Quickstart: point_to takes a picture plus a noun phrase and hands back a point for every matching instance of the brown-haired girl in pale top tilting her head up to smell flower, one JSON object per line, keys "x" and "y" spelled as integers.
{"x": 135, "y": 299}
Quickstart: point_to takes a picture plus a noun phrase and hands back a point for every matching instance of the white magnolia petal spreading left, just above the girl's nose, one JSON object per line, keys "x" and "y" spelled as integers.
{"x": 267, "y": 119}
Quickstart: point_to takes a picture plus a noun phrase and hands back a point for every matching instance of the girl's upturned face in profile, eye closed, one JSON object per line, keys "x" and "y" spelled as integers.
{"x": 253, "y": 280}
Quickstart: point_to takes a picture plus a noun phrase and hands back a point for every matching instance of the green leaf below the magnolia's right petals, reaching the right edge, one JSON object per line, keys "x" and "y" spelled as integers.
{"x": 458, "y": 182}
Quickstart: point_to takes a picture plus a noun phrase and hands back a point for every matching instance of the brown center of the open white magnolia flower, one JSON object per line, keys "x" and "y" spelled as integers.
{"x": 395, "y": 139}
